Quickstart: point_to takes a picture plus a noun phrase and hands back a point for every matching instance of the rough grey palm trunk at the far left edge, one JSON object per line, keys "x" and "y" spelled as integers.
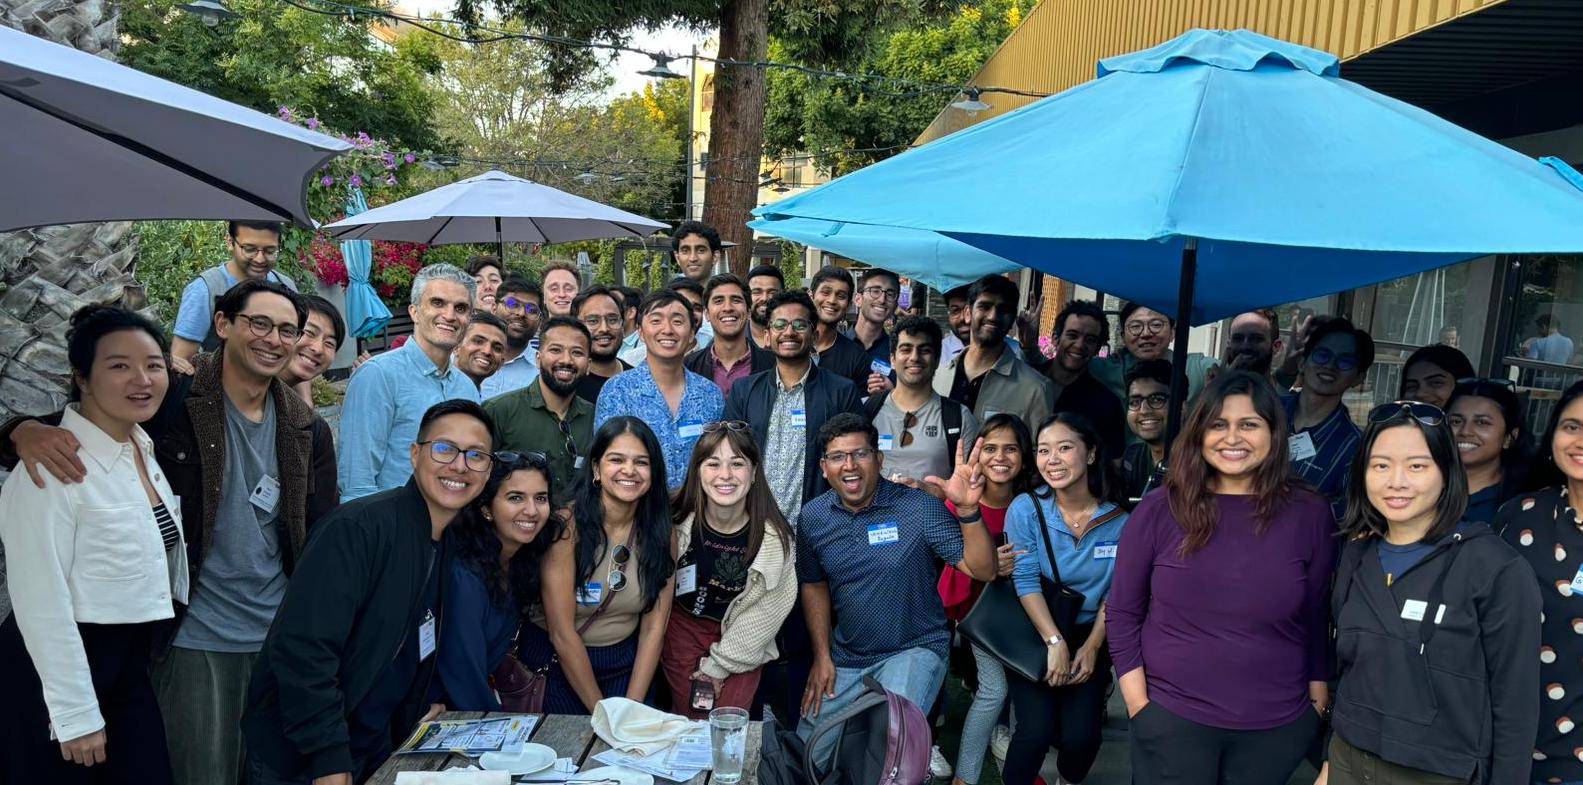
{"x": 51, "y": 271}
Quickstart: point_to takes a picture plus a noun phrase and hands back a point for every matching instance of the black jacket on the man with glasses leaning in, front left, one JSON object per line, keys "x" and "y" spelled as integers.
{"x": 354, "y": 601}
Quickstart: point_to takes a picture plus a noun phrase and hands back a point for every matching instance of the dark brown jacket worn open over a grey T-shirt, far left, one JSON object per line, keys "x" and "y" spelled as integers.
{"x": 189, "y": 441}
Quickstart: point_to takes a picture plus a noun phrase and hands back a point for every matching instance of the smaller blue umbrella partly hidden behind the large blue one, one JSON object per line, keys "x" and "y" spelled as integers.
{"x": 924, "y": 256}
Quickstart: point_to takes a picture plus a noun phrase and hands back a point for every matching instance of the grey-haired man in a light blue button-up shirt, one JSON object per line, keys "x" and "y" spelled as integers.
{"x": 390, "y": 393}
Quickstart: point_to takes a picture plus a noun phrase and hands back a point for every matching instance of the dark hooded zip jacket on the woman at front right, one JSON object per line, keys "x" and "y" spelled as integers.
{"x": 1457, "y": 699}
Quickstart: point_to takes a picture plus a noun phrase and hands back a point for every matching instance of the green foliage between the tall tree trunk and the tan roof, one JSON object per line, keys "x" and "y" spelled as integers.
{"x": 807, "y": 113}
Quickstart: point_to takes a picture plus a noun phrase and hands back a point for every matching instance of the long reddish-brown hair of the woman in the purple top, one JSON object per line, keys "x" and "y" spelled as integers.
{"x": 1188, "y": 482}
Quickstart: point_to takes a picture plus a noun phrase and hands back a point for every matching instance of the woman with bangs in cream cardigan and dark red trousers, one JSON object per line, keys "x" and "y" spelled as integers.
{"x": 735, "y": 575}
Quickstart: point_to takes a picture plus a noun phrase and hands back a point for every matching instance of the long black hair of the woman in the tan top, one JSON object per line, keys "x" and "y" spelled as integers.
{"x": 651, "y": 520}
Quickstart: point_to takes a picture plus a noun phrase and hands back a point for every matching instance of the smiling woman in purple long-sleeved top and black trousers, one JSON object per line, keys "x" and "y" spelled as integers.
{"x": 1218, "y": 612}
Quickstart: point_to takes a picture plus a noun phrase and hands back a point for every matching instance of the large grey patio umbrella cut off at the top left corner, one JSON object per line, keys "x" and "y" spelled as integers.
{"x": 88, "y": 140}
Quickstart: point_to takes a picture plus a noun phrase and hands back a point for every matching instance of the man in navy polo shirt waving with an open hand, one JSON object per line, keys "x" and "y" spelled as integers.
{"x": 865, "y": 558}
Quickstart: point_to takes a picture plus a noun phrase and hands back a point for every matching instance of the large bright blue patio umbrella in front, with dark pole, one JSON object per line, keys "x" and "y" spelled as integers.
{"x": 1217, "y": 173}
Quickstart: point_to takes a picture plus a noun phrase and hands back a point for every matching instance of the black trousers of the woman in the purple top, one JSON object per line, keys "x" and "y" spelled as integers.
{"x": 1174, "y": 751}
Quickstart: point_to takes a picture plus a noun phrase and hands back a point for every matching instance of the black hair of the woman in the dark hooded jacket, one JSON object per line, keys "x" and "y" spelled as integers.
{"x": 1362, "y": 517}
